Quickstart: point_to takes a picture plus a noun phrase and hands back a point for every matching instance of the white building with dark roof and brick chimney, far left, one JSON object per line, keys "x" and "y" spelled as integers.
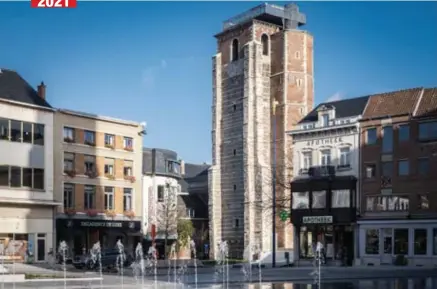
{"x": 27, "y": 205}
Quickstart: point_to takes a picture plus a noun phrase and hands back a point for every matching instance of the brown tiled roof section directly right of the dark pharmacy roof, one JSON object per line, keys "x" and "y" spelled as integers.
{"x": 395, "y": 103}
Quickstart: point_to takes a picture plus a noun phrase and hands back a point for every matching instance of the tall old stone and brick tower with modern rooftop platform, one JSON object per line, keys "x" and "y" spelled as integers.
{"x": 262, "y": 59}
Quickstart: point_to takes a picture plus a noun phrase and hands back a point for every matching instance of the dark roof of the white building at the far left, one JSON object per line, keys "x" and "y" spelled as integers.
{"x": 14, "y": 88}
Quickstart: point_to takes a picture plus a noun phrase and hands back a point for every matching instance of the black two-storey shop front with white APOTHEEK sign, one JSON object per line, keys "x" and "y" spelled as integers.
{"x": 323, "y": 210}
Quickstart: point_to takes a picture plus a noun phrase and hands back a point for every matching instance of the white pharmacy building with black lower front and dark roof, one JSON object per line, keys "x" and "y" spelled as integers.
{"x": 325, "y": 189}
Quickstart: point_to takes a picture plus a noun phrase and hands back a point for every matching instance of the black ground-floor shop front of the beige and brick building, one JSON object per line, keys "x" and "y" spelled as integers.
{"x": 82, "y": 234}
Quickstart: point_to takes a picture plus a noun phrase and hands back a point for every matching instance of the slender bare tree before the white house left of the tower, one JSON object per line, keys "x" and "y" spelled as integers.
{"x": 167, "y": 211}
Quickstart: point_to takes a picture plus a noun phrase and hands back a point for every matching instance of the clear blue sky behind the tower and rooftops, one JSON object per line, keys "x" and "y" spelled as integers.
{"x": 152, "y": 60}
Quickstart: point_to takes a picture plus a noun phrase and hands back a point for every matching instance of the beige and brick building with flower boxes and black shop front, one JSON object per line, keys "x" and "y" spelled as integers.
{"x": 98, "y": 170}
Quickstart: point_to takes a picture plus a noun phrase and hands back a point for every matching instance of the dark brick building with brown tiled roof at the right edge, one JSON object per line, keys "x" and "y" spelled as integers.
{"x": 398, "y": 184}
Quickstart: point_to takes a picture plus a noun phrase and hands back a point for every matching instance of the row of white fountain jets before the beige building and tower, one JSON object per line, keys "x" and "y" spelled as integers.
{"x": 147, "y": 265}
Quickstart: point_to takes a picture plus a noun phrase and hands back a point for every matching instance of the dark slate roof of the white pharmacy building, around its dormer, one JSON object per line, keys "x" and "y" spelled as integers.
{"x": 343, "y": 108}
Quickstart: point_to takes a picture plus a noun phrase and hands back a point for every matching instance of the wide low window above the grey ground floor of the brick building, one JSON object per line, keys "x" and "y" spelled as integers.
{"x": 387, "y": 203}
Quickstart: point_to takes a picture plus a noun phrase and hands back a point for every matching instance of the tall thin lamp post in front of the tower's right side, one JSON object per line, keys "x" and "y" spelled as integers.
{"x": 274, "y": 104}
